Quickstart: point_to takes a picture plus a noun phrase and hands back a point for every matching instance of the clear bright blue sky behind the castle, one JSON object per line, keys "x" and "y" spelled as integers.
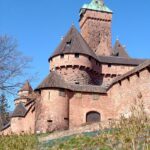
{"x": 38, "y": 26}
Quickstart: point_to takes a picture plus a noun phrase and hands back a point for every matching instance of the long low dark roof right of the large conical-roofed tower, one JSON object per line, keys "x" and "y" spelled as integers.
{"x": 120, "y": 60}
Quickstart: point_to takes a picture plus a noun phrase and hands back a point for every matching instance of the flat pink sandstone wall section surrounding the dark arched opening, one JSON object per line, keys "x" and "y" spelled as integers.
{"x": 81, "y": 104}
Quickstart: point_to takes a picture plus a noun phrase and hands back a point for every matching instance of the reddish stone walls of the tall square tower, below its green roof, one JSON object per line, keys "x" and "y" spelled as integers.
{"x": 97, "y": 25}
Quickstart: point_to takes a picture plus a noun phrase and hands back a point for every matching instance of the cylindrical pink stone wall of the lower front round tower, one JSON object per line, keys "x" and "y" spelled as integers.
{"x": 52, "y": 112}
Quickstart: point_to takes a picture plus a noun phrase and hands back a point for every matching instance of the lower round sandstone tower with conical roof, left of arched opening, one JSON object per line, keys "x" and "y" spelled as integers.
{"x": 52, "y": 108}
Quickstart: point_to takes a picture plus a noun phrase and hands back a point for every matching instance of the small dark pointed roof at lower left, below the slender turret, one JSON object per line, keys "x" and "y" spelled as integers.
{"x": 20, "y": 111}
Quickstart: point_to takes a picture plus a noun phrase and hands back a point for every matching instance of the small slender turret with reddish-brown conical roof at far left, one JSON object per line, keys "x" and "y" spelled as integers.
{"x": 23, "y": 93}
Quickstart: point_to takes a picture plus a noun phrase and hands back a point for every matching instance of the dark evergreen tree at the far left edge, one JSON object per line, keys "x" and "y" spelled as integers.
{"x": 4, "y": 115}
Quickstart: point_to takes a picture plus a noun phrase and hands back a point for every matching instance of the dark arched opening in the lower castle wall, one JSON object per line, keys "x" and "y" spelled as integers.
{"x": 93, "y": 116}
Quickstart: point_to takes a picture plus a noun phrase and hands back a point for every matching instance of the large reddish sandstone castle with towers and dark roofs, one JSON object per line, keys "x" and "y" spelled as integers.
{"x": 89, "y": 81}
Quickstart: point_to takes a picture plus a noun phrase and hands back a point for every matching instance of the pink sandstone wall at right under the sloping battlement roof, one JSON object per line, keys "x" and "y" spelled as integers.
{"x": 123, "y": 95}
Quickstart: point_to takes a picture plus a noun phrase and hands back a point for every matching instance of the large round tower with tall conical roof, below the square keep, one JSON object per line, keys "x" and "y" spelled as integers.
{"x": 75, "y": 61}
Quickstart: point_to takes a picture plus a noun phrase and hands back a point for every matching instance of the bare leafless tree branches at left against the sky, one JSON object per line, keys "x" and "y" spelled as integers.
{"x": 12, "y": 65}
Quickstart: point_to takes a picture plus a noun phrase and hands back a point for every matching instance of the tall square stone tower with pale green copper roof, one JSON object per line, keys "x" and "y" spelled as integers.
{"x": 95, "y": 24}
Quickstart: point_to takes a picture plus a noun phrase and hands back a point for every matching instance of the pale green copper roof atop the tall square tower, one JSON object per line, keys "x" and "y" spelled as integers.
{"x": 96, "y": 5}
